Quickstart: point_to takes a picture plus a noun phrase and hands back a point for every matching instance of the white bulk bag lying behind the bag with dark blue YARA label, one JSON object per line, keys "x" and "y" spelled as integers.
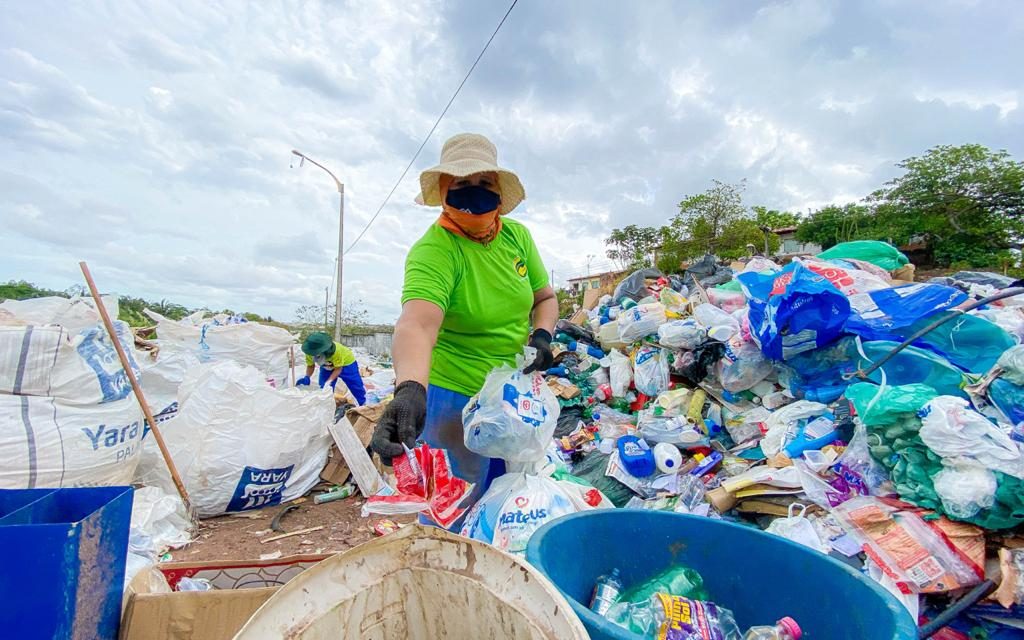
{"x": 262, "y": 347}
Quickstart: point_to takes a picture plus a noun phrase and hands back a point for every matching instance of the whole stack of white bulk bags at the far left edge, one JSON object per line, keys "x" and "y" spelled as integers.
{"x": 68, "y": 417}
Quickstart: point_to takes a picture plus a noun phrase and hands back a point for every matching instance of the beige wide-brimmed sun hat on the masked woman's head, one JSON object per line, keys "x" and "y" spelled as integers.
{"x": 466, "y": 154}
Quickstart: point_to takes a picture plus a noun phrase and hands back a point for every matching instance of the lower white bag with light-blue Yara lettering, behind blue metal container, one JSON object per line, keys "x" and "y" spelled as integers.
{"x": 46, "y": 442}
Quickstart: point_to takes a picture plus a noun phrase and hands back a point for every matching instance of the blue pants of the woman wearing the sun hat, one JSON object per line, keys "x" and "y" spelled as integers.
{"x": 443, "y": 430}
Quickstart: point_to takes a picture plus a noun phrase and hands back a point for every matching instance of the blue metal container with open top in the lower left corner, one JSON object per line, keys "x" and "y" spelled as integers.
{"x": 64, "y": 565}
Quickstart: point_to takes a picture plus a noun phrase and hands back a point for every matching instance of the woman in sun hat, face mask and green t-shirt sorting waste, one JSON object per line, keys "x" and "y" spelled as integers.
{"x": 475, "y": 286}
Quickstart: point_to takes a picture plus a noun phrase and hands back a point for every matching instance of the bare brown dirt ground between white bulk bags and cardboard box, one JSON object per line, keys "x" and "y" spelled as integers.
{"x": 239, "y": 537}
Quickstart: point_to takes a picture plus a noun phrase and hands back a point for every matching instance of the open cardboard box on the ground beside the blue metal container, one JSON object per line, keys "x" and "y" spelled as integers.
{"x": 240, "y": 588}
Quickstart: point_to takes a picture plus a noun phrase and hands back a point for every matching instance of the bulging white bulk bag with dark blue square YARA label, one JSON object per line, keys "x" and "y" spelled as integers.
{"x": 240, "y": 444}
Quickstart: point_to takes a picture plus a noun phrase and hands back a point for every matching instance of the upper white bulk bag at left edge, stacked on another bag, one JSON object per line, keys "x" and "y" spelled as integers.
{"x": 78, "y": 369}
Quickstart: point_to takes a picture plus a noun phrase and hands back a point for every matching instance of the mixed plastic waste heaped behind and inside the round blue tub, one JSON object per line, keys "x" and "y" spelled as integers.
{"x": 742, "y": 393}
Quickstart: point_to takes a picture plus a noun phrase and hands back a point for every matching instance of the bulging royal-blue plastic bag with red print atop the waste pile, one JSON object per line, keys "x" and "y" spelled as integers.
{"x": 794, "y": 311}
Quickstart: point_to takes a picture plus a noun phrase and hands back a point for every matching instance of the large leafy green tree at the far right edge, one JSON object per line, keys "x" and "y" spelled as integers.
{"x": 968, "y": 201}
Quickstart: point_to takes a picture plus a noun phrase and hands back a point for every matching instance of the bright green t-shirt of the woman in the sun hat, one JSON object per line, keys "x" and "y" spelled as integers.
{"x": 487, "y": 294}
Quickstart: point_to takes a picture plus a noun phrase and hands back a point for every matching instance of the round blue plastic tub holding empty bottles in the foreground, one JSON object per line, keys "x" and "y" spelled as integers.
{"x": 760, "y": 577}
